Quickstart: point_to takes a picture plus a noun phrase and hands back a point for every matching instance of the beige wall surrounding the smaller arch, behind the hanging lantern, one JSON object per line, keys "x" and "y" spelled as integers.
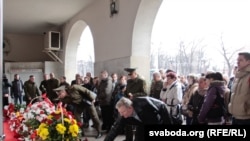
{"x": 112, "y": 35}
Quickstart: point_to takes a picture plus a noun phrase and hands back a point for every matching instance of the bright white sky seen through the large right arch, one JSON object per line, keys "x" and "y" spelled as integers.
{"x": 203, "y": 19}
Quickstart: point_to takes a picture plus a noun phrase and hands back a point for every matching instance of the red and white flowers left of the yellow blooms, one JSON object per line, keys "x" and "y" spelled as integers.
{"x": 24, "y": 124}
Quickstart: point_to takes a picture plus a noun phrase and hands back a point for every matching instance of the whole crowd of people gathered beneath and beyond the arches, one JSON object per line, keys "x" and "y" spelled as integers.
{"x": 121, "y": 104}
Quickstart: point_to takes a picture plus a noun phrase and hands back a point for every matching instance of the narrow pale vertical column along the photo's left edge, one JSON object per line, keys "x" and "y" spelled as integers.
{"x": 2, "y": 136}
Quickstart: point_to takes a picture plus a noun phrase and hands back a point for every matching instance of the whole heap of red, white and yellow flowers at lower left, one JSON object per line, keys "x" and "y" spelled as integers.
{"x": 42, "y": 121}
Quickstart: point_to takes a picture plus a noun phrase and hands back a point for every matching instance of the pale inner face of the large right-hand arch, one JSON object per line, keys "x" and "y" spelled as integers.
{"x": 141, "y": 40}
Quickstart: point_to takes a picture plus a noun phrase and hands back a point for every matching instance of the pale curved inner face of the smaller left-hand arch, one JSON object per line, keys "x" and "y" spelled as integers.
{"x": 70, "y": 66}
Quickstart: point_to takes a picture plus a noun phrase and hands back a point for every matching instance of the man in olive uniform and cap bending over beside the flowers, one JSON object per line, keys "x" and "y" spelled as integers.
{"x": 80, "y": 98}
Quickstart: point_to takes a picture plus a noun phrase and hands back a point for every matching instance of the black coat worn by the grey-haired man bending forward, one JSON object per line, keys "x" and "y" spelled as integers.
{"x": 150, "y": 111}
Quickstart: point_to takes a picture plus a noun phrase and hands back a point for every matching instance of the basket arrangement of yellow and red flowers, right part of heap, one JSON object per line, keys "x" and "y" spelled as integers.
{"x": 59, "y": 126}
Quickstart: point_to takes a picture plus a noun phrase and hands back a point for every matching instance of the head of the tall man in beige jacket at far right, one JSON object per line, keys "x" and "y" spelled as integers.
{"x": 243, "y": 60}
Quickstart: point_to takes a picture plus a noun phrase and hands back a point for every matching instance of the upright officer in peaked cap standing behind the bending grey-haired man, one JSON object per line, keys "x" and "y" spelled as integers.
{"x": 136, "y": 87}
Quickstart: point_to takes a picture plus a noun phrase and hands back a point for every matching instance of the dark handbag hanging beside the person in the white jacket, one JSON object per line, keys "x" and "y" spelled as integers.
{"x": 177, "y": 119}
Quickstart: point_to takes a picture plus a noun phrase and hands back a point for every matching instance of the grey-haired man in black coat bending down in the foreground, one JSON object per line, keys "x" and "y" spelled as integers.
{"x": 139, "y": 111}
